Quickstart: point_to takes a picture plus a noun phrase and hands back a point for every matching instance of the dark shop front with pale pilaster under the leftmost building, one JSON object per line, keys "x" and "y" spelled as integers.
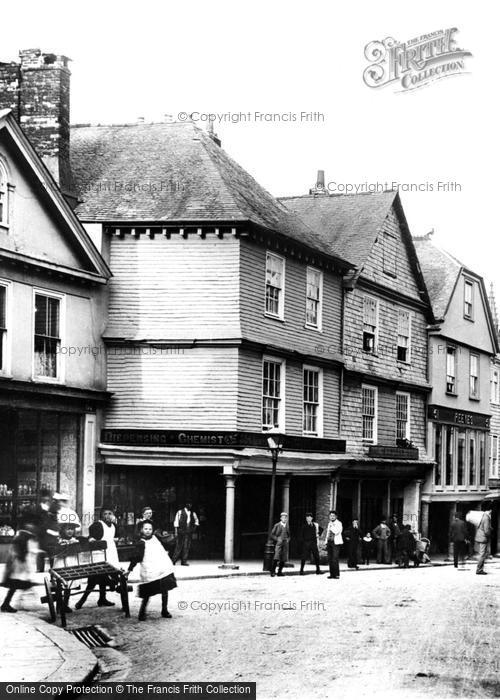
{"x": 47, "y": 441}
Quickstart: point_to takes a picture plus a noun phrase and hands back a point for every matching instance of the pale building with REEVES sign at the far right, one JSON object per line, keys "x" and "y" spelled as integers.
{"x": 462, "y": 346}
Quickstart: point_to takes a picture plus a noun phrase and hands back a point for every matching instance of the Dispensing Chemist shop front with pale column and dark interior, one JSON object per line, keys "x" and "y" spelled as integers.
{"x": 226, "y": 475}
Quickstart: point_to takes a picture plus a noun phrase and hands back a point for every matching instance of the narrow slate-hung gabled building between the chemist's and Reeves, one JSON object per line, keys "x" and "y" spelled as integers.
{"x": 384, "y": 385}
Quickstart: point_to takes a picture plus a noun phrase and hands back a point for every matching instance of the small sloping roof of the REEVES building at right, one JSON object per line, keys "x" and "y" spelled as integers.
{"x": 440, "y": 270}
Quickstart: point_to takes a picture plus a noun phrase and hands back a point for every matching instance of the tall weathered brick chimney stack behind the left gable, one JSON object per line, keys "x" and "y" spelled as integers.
{"x": 37, "y": 90}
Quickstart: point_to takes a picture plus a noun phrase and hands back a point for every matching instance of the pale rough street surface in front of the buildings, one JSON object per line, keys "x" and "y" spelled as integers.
{"x": 391, "y": 633}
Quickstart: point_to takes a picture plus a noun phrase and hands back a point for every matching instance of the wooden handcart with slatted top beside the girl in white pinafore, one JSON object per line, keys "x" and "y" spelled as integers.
{"x": 74, "y": 563}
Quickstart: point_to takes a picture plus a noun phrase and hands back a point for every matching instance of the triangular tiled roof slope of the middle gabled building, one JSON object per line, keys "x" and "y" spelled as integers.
{"x": 348, "y": 223}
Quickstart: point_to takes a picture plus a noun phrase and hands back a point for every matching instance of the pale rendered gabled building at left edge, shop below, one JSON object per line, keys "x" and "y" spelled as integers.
{"x": 52, "y": 369}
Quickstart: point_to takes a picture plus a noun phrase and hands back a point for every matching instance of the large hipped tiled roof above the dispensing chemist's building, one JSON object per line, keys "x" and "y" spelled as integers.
{"x": 172, "y": 172}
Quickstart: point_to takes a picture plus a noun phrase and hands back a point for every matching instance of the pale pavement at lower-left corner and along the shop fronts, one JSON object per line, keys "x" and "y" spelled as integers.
{"x": 39, "y": 651}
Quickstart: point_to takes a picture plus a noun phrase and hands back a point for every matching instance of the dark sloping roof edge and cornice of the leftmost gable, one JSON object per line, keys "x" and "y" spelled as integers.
{"x": 69, "y": 225}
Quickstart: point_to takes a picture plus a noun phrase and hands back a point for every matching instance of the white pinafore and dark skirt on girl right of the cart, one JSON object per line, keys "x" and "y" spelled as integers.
{"x": 157, "y": 569}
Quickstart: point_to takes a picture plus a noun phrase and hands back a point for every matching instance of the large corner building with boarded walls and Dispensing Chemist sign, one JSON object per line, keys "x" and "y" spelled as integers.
{"x": 219, "y": 306}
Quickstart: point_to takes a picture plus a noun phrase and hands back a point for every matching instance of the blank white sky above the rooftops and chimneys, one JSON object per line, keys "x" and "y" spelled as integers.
{"x": 146, "y": 60}
